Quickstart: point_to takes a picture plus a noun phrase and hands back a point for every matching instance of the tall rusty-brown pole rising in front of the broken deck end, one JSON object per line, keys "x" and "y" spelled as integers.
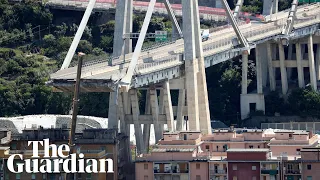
{"x": 70, "y": 176}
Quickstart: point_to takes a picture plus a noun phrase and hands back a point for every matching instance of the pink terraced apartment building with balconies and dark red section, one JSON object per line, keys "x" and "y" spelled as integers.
{"x": 229, "y": 154}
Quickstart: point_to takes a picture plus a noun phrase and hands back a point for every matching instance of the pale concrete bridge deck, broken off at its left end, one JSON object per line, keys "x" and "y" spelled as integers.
{"x": 165, "y": 61}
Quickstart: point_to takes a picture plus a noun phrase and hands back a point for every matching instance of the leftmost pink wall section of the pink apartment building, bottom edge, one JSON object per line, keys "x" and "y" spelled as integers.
{"x": 141, "y": 172}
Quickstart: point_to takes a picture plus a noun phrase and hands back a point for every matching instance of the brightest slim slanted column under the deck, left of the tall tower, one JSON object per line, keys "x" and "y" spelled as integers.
{"x": 168, "y": 106}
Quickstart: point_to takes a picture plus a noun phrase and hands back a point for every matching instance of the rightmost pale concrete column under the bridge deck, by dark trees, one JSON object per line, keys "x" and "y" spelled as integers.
{"x": 313, "y": 80}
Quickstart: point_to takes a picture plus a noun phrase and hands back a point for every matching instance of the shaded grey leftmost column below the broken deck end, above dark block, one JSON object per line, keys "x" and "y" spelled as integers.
{"x": 113, "y": 111}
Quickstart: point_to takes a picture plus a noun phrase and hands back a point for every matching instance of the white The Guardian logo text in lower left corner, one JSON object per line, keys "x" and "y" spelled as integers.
{"x": 51, "y": 164}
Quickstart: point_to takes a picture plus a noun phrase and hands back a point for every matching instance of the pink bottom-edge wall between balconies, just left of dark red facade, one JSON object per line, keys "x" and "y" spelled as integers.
{"x": 203, "y": 171}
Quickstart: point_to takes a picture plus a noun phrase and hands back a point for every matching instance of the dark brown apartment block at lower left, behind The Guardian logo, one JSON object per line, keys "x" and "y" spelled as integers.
{"x": 93, "y": 143}
